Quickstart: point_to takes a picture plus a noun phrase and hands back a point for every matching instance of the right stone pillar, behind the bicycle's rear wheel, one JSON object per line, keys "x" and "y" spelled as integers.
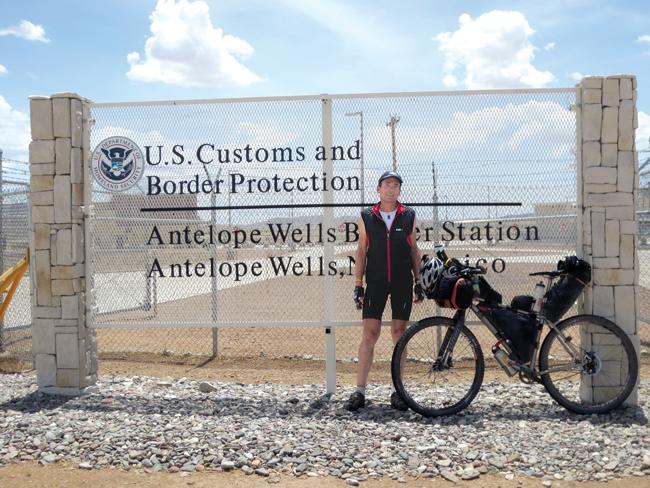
{"x": 608, "y": 184}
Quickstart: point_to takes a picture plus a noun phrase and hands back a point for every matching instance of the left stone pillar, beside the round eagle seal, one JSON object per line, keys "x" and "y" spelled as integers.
{"x": 64, "y": 348}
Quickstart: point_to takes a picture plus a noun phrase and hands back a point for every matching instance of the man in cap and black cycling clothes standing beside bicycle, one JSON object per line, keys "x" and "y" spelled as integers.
{"x": 388, "y": 255}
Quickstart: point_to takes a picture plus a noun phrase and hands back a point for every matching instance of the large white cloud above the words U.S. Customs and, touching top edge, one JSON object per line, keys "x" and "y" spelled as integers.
{"x": 186, "y": 49}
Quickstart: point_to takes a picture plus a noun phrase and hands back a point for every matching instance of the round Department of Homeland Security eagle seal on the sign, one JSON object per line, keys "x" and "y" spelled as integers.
{"x": 117, "y": 163}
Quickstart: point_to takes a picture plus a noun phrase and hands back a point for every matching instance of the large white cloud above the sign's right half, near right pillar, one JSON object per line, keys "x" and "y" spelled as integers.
{"x": 493, "y": 51}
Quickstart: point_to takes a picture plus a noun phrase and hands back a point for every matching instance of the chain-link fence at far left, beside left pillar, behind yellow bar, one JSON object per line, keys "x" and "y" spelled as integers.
{"x": 15, "y": 327}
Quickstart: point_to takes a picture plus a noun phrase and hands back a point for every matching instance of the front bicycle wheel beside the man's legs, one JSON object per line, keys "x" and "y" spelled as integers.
{"x": 428, "y": 386}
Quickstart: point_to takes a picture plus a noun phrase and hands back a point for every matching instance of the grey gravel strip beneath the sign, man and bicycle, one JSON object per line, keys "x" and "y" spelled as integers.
{"x": 271, "y": 429}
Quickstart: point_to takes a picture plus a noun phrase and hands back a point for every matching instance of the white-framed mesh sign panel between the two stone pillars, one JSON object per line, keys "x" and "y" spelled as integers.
{"x": 253, "y": 242}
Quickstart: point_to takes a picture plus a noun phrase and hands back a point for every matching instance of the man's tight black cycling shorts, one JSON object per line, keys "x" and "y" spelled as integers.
{"x": 376, "y": 295}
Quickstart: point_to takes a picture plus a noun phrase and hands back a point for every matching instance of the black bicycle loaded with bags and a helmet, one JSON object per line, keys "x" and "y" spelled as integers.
{"x": 586, "y": 363}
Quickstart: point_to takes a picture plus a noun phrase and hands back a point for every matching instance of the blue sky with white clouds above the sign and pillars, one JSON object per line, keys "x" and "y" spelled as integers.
{"x": 148, "y": 49}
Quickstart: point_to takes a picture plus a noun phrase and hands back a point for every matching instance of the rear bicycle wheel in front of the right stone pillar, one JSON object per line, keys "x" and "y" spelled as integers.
{"x": 588, "y": 364}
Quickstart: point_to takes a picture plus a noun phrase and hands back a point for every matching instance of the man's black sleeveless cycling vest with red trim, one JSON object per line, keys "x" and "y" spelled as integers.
{"x": 388, "y": 254}
